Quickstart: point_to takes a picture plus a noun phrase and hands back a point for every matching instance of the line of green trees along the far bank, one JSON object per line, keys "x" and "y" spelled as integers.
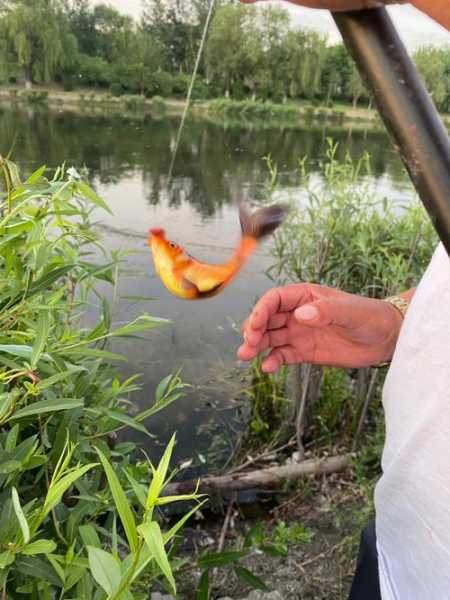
{"x": 248, "y": 52}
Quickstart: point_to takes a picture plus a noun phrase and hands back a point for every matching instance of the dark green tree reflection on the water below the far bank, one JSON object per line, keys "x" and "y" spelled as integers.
{"x": 215, "y": 162}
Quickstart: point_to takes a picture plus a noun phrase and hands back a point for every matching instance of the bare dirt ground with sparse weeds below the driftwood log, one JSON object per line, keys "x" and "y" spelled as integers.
{"x": 334, "y": 509}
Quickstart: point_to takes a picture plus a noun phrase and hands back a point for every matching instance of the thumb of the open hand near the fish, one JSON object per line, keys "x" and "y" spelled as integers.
{"x": 322, "y": 313}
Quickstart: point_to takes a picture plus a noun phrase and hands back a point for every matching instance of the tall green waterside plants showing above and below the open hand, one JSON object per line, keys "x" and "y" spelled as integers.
{"x": 343, "y": 234}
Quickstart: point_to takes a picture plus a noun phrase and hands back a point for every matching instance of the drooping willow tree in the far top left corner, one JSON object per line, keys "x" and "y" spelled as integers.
{"x": 37, "y": 35}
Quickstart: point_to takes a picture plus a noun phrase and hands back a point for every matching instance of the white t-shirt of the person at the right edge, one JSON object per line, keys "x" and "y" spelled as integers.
{"x": 412, "y": 498}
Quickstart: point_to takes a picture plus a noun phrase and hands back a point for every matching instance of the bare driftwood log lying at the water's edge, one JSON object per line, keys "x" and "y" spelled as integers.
{"x": 269, "y": 478}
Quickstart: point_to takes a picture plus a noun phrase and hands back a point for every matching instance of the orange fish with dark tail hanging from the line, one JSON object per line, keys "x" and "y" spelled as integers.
{"x": 191, "y": 279}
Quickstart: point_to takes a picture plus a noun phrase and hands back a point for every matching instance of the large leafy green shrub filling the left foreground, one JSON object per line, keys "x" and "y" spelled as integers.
{"x": 71, "y": 525}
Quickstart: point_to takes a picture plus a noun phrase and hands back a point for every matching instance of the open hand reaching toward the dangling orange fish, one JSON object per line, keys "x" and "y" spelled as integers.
{"x": 320, "y": 325}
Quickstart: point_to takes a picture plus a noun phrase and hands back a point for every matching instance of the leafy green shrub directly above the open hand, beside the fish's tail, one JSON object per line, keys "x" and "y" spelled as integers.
{"x": 346, "y": 235}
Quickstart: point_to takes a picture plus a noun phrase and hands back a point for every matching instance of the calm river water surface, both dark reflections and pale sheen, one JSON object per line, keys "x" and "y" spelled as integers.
{"x": 128, "y": 159}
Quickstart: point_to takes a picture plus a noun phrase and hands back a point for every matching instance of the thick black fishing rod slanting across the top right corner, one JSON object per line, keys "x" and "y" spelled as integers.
{"x": 405, "y": 106}
